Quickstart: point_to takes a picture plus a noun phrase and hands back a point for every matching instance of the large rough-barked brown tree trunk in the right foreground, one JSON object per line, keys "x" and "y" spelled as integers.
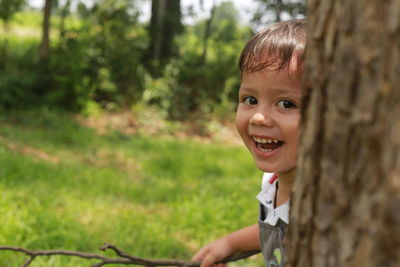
{"x": 346, "y": 206}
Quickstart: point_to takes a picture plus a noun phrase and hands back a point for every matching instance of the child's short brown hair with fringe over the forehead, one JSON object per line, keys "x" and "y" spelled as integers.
{"x": 280, "y": 45}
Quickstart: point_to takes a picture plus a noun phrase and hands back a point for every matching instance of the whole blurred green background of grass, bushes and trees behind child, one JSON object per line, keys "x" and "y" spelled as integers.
{"x": 94, "y": 104}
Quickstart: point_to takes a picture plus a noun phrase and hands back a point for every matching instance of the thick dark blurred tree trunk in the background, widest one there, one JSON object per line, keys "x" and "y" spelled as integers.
{"x": 165, "y": 24}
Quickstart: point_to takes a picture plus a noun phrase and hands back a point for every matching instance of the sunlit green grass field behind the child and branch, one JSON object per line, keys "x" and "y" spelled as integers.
{"x": 62, "y": 186}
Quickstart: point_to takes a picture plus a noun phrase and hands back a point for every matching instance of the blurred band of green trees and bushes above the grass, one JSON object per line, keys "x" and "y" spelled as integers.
{"x": 102, "y": 54}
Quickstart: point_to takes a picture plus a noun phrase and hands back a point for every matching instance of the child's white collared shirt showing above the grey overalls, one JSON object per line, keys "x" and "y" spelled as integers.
{"x": 267, "y": 199}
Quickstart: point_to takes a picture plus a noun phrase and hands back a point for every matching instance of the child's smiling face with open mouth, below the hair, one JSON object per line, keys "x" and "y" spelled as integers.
{"x": 267, "y": 119}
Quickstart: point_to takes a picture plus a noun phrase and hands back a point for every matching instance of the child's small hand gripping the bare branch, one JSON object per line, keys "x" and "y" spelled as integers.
{"x": 214, "y": 252}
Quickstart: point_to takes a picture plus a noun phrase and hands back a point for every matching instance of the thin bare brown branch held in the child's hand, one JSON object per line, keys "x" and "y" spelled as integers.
{"x": 124, "y": 258}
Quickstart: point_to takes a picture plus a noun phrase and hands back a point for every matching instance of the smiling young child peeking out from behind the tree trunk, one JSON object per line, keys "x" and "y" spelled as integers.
{"x": 267, "y": 120}
